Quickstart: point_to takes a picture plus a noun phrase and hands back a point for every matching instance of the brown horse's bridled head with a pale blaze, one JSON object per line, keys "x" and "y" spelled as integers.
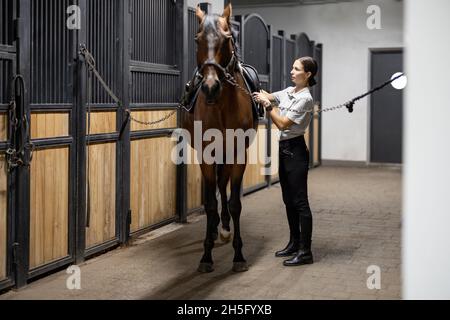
{"x": 214, "y": 51}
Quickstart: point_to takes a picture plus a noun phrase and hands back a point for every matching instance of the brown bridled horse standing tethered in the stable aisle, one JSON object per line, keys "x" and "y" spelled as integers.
{"x": 221, "y": 104}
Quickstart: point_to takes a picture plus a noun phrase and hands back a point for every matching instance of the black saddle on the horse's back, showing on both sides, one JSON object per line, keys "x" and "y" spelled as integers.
{"x": 251, "y": 81}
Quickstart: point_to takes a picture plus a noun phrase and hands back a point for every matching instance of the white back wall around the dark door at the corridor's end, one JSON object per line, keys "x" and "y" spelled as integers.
{"x": 342, "y": 30}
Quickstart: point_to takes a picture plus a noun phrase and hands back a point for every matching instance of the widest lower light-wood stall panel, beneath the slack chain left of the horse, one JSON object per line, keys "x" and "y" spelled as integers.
{"x": 153, "y": 182}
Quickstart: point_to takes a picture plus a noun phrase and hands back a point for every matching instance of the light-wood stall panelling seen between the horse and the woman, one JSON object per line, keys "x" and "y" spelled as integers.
{"x": 254, "y": 173}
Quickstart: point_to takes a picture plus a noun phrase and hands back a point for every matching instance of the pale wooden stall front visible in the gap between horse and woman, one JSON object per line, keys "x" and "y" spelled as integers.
{"x": 253, "y": 173}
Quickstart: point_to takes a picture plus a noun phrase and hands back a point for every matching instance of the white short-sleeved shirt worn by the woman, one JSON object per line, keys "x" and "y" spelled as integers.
{"x": 293, "y": 106}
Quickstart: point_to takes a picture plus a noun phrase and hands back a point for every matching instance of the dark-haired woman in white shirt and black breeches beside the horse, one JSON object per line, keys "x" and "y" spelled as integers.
{"x": 295, "y": 106}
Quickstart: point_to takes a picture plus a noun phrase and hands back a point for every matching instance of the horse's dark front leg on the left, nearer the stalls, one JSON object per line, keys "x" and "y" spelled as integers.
{"x": 212, "y": 216}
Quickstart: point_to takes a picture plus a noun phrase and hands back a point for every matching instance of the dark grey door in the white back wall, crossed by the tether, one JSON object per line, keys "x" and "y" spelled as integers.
{"x": 386, "y": 108}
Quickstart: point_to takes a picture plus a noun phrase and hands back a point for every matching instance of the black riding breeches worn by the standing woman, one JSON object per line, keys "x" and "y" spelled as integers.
{"x": 293, "y": 173}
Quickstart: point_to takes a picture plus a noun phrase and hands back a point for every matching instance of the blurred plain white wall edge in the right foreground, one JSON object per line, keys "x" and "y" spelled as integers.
{"x": 426, "y": 206}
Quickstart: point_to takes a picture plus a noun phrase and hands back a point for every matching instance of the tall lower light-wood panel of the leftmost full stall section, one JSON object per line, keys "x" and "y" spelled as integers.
{"x": 49, "y": 206}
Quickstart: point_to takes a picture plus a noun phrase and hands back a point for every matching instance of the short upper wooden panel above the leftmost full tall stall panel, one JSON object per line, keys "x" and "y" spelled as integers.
{"x": 49, "y": 125}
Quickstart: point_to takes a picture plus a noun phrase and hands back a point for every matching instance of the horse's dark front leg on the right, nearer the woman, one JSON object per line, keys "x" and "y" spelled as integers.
{"x": 239, "y": 263}
